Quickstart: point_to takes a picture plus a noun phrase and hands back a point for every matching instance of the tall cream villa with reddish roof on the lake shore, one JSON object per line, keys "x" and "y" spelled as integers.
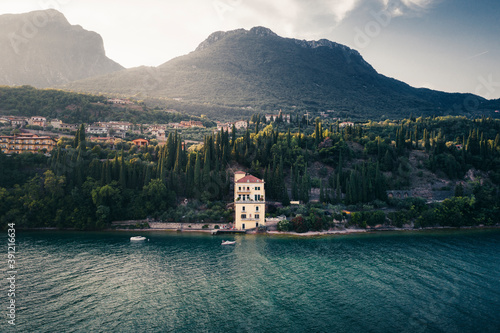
{"x": 249, "y": 201}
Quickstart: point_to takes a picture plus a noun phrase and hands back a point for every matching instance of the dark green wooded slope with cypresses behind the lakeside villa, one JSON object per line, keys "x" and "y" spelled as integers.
{"x": 86, "y": 186}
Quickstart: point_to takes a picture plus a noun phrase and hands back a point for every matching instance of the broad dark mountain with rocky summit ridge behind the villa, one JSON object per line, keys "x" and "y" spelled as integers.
{"x": 260, "y": 70}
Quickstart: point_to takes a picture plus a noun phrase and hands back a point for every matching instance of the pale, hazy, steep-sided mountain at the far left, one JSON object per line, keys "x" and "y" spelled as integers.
{"x": 42, "y": 49}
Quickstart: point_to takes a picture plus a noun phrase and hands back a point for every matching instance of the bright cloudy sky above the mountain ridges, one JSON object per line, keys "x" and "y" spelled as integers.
{"x": 447, "y": 45}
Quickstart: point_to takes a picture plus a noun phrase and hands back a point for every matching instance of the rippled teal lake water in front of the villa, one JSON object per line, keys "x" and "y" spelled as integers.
{"x": 183, "y": 282}
